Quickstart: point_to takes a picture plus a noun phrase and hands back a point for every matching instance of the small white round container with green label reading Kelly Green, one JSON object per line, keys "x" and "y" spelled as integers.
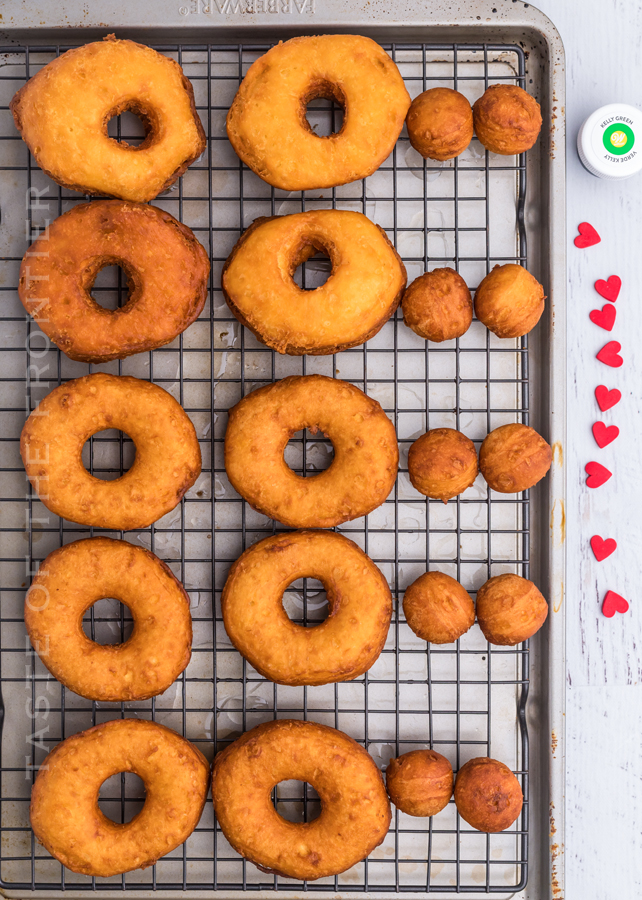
{"x": 609, "y": 142}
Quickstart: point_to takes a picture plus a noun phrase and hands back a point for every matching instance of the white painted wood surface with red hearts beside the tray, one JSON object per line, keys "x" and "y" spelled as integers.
{"x": 604, "y": 656}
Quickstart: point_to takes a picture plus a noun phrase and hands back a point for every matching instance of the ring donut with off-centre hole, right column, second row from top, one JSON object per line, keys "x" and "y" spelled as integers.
{"x": 362, "y": 292}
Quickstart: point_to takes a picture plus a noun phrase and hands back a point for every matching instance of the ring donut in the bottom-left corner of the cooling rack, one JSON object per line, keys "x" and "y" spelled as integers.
{"x": 65, "y": 815}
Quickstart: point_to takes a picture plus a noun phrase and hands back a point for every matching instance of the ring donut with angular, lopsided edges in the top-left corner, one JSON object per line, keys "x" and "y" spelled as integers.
{"x": 63, "y": 113}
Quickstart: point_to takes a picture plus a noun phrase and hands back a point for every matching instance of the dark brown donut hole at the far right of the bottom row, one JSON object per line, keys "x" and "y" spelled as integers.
{"x": 487, "y": 794}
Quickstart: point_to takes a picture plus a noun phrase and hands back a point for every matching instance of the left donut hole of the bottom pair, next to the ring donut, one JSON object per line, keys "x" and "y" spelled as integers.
{"x": 420, "y": 783}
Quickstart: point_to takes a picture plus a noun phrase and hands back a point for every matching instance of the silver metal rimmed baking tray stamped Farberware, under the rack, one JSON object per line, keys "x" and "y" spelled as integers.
{"x": 465, "y": 700}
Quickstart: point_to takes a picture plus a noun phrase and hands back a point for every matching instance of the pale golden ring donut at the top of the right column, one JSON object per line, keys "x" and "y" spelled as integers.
{"x": 267, "y": 123}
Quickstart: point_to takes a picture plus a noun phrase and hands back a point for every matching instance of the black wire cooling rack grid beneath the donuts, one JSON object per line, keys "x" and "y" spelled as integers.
{"x": 466, "y": 699}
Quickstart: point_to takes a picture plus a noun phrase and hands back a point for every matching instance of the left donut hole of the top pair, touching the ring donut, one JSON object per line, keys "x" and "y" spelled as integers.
{"x": 440, "y": 123}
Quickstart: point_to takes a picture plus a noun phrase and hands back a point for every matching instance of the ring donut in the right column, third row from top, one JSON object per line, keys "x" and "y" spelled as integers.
{"x": 360, "y": 476}
